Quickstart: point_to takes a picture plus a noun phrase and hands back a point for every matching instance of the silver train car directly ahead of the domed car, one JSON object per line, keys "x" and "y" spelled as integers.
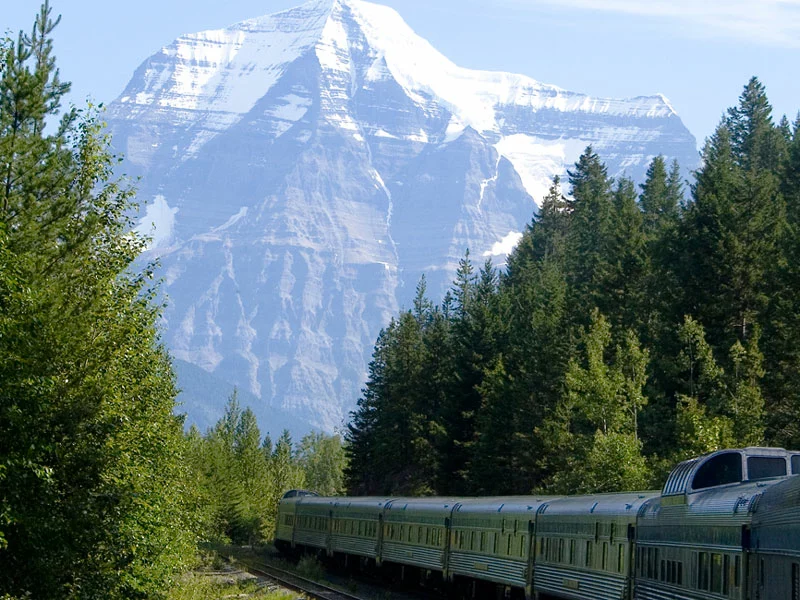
{"x": 585, "y": 544}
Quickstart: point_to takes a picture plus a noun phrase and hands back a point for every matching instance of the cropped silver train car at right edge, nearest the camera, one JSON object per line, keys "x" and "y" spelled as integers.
{"x": 775, "y": 568}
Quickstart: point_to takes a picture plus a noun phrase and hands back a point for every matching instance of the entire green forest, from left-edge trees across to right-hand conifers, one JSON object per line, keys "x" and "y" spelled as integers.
{"x": 632, "y": 327}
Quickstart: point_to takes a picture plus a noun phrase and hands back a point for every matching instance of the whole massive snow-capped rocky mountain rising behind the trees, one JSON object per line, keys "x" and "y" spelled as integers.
{"x": 303, "y": 169}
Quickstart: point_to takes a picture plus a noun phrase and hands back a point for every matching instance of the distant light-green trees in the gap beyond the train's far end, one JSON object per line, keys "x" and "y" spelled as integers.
{"x": 239, "y": 477}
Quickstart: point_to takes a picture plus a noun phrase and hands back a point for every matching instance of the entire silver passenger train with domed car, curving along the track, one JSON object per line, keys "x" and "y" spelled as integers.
{"x": 725, "y": 526}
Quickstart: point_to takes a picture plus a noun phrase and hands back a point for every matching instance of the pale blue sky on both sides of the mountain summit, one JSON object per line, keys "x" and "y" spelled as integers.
{"x": 699, "y": 53}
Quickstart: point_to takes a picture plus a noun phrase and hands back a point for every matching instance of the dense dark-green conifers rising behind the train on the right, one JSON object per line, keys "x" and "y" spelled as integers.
{"x": 631, "y": 328}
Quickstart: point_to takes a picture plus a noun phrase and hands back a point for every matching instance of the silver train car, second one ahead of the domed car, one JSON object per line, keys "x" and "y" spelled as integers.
{"x": 491, "y": 538}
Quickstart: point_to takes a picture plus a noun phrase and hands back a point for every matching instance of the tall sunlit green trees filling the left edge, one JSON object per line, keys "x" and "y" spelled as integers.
{"x": 94, "y": 490}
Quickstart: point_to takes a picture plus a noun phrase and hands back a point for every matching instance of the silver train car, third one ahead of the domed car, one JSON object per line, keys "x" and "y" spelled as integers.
{"x": 415, "y": 532}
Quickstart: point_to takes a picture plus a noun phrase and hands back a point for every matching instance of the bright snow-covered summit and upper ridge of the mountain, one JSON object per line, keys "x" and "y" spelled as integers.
{"x": 227, "y": 70}
